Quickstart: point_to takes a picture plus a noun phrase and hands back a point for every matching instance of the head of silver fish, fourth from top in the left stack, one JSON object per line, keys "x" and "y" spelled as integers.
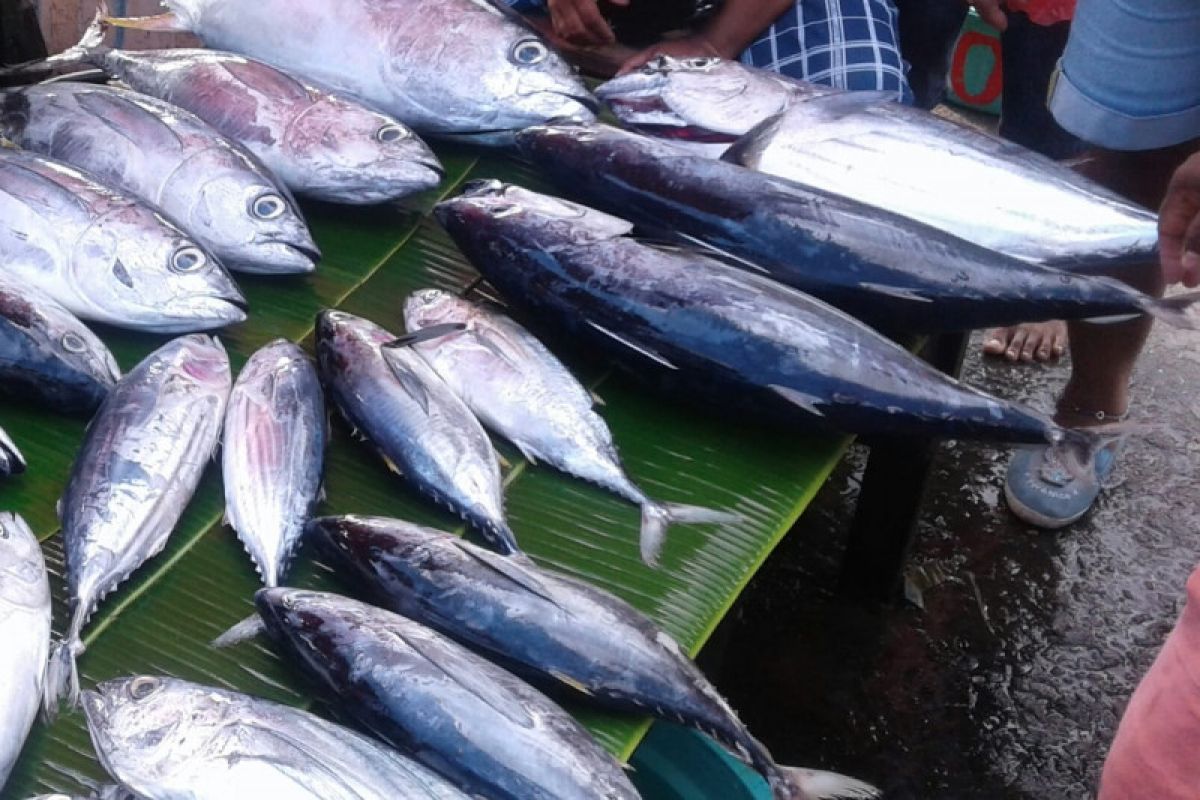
{"x": 135, "y": 264}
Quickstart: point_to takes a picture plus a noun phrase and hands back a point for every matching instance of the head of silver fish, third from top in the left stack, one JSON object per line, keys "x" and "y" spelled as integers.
{"x": 237, "y": 203}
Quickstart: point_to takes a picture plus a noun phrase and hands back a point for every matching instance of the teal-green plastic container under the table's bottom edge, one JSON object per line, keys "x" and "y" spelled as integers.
{"x": 676, "y": 763}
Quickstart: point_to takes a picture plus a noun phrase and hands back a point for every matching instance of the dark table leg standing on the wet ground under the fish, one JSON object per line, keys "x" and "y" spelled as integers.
{"x": 893, "y": 489}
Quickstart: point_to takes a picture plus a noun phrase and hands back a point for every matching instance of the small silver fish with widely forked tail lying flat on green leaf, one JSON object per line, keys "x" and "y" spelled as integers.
{"x": 517, "y": 388}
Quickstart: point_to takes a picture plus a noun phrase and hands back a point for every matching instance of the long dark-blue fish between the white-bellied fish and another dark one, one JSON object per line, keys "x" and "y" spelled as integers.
{"x": 892, "y": 272}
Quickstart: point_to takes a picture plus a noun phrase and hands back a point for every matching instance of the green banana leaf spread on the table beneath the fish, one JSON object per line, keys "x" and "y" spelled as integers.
{"x": 164, "y": 618}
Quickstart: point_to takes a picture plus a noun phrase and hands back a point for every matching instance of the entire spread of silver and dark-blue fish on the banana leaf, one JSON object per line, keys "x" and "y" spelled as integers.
{"x": 749, "y": 281}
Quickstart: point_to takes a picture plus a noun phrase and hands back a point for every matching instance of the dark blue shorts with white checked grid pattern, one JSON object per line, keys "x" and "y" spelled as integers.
{"x": 844, "y": 44}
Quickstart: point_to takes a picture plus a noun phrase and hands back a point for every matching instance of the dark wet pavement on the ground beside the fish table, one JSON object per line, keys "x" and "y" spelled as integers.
{"x": 1010, "y": 681}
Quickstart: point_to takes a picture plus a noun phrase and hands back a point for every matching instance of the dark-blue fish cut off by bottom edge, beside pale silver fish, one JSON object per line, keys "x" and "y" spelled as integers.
{"x": 487, "y": 731}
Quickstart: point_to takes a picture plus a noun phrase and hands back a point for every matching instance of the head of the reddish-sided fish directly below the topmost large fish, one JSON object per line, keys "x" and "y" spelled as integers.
{"x": 345, "y": 145}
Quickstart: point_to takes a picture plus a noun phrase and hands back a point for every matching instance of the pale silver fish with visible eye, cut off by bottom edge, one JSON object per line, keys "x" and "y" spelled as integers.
{"x": 170, "y": 739}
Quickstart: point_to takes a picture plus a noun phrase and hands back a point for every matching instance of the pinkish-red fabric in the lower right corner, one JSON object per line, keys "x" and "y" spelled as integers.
{"x": 1156, "y": 754}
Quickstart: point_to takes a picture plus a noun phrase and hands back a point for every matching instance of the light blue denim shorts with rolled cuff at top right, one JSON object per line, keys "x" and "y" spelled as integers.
{"x": 1130, "y": 79}
